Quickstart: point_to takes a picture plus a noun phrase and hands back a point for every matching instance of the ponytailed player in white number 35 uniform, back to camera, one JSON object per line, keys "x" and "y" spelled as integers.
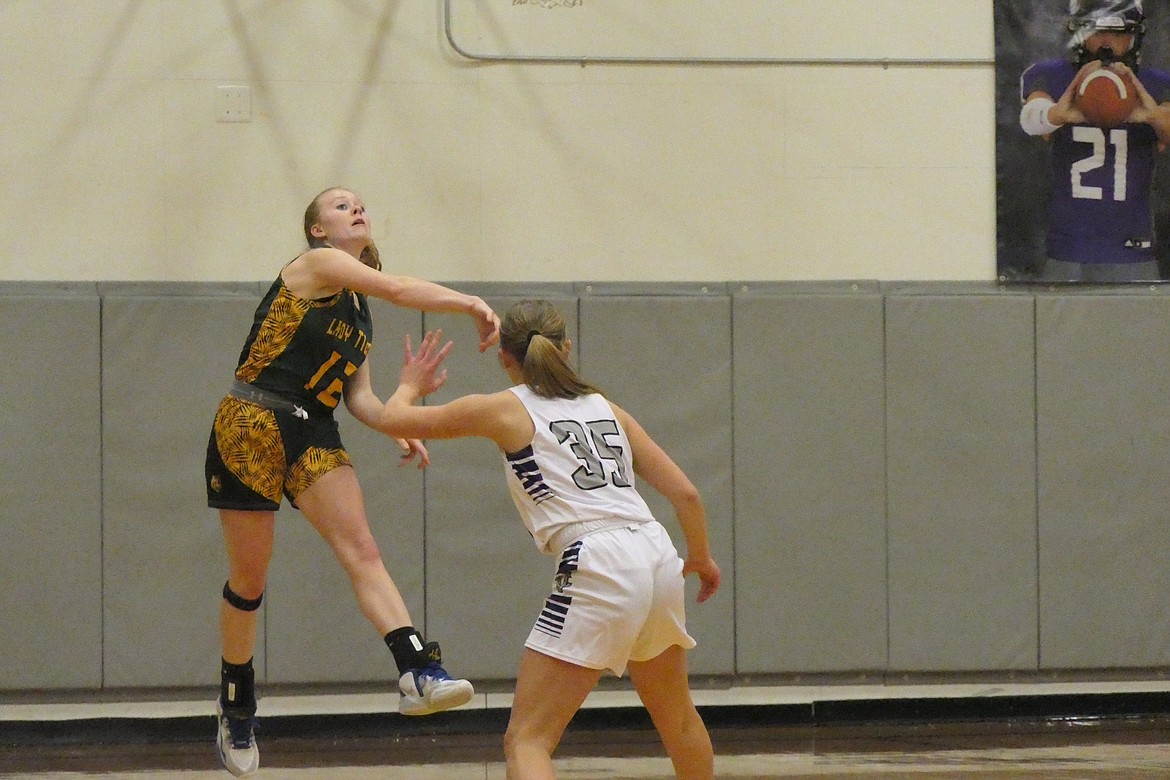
{"x": 572, "y": 457}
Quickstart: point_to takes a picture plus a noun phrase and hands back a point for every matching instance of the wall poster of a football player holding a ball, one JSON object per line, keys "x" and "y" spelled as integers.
{"x": 1083, "y": 197}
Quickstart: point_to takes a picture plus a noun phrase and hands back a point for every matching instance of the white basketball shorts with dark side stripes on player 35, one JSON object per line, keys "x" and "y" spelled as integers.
{"x": 618, "y": 597}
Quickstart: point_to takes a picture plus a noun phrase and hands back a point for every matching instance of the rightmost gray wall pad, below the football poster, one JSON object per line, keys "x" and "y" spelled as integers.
{"x": 1104, "y": 441}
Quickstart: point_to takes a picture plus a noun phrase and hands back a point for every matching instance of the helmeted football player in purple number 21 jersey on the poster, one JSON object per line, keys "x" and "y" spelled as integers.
{"x": 1100, "y": 217}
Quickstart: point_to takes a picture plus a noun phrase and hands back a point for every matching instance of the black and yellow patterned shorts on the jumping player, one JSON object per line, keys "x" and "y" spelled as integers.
{"x": 257, "y": 454}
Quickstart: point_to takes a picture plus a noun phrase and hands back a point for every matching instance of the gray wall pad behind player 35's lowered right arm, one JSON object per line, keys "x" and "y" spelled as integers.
{"x": 666, "y": 360}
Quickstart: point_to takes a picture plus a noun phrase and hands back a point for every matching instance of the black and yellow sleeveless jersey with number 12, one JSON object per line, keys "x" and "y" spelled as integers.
{"x": 305, "y": 351}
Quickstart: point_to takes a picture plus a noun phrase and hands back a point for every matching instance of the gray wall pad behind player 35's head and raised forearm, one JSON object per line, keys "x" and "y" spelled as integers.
{"x": 486, "y": 581}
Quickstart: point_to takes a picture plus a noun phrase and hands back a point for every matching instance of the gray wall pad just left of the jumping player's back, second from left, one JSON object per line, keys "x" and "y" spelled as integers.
{"x": 166, "y": 365}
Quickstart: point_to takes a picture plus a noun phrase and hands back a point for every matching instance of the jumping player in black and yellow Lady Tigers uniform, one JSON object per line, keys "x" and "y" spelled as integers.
{"x": 276, "y": 436}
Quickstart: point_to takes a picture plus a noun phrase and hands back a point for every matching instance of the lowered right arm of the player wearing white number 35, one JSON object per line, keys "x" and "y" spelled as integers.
{"x": 653, "y": 465}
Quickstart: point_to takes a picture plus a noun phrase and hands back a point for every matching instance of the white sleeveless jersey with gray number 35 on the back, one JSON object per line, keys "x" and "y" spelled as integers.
{"x": 579, "y": 468}
